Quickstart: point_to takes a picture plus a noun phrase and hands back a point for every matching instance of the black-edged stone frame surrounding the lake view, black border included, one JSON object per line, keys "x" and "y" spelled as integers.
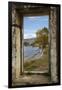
{"x": 16, "y": 12}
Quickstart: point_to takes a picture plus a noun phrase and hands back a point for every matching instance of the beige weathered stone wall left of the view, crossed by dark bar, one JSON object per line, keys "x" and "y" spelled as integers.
{"x": 16, "y": 44}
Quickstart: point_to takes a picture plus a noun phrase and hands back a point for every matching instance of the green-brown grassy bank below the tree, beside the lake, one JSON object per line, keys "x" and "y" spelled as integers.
{"x": 40, "y": 64}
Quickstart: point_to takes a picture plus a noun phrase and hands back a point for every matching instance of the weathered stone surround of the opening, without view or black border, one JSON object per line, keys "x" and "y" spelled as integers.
{"x": 18, "y": 12}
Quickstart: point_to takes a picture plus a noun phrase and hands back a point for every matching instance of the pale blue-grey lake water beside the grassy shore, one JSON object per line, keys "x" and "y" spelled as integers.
{"x": 31, "y": 52}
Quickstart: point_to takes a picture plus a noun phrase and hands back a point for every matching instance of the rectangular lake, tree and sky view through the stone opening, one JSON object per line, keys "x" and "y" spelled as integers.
{"x": 36, "y": 44}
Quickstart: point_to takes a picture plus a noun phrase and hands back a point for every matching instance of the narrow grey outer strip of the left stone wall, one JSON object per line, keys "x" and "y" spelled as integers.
{"x": 13, "y": 45}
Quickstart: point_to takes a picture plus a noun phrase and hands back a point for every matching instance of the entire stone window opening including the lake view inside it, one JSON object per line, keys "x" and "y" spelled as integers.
{"x": 37, "y": 40}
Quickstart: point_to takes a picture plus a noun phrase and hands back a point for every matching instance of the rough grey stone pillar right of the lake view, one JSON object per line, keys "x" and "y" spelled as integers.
{"x": 53, "y": 53}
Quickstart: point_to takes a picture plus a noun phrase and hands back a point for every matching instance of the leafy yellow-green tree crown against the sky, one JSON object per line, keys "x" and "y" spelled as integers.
{"x": 42, "y": 38}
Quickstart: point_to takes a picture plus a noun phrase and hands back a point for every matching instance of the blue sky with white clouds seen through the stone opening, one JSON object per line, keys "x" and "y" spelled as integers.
{"x": 32, "y": 24}
